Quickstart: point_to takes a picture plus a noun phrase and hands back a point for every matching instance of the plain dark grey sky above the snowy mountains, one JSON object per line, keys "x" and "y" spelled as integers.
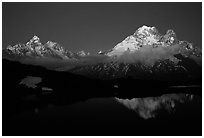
{"x": 97, "y": 26}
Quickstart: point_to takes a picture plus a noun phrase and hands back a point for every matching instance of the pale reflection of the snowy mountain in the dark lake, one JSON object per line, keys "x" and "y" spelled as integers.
{"x": 150, "y": 106}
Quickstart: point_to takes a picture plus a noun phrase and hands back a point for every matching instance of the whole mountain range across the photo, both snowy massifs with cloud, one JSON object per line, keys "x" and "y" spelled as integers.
{"x": 145, "y": 54}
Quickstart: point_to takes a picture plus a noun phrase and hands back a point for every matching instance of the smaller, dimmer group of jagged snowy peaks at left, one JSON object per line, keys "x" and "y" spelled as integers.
{"x": 34, "y": 48}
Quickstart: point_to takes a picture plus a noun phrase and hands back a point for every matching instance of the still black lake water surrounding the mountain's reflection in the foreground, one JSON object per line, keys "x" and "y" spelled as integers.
{"x": 106, "y": 116}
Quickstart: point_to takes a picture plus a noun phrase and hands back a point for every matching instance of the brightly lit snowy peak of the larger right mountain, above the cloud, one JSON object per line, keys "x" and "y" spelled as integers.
{"x": 144, "y": 36}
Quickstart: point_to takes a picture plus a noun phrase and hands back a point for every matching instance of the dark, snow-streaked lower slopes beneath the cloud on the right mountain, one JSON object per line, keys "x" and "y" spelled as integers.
{"x": 161, "y": 70}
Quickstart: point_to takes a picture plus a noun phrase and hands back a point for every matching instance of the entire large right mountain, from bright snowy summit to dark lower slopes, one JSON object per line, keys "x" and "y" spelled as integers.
{"x": 126, "y": 59}
